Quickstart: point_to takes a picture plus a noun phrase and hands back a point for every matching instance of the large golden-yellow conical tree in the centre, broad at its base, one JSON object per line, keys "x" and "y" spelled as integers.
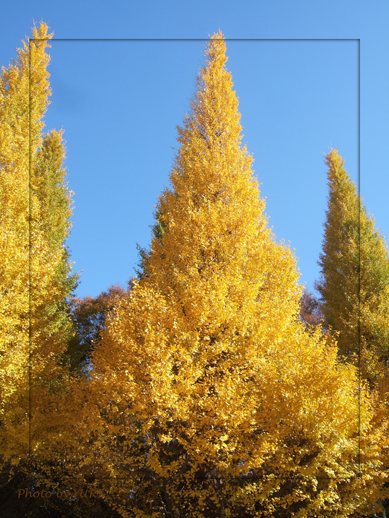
{"x": 208, "y": 397}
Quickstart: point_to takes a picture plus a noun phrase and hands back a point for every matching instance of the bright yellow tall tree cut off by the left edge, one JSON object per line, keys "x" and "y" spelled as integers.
{"x": 28, "y": 285}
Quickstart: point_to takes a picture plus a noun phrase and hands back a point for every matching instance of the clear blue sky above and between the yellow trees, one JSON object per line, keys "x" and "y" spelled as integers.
{"x": 119, "y": 104}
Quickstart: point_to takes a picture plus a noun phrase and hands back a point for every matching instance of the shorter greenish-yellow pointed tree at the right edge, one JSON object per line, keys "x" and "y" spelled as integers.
{"x": 354, "y": 283}
